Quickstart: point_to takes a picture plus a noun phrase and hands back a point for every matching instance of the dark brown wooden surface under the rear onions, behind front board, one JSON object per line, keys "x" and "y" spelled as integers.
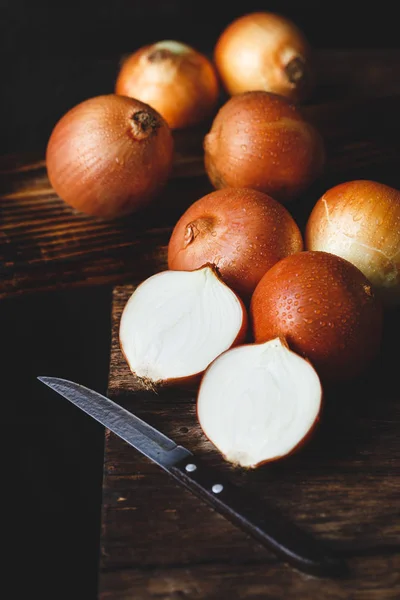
{"x": 44, "y": 245}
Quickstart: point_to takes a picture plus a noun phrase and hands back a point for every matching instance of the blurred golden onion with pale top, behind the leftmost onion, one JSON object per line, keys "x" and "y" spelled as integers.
{"x": 176, "y": 80}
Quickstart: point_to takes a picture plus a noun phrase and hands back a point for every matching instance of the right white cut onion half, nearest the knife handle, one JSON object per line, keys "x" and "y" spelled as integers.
{"x": 259, "y": 402}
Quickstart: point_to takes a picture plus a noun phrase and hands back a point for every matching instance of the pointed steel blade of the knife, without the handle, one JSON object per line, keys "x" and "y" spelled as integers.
{"x": 142, "y": 436}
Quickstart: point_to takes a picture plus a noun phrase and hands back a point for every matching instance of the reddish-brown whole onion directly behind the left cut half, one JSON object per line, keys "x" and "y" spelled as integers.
{"x": 242, "y": 232}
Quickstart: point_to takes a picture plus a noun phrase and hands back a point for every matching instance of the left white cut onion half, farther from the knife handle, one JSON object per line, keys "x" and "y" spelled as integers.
{"x": 177, "y": 322}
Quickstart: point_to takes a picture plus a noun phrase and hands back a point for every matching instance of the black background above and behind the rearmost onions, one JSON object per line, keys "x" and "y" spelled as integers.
{"x": 49, "y": 47}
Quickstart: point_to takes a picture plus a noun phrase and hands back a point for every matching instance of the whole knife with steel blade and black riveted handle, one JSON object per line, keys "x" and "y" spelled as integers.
{"x": 263, "y": 522}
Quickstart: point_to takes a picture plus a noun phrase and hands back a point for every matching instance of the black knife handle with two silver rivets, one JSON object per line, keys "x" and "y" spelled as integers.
{"x": 261, "y": 520}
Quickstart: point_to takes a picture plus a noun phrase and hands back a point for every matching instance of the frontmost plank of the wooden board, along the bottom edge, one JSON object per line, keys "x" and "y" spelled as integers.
{"x": 372, "y": 579}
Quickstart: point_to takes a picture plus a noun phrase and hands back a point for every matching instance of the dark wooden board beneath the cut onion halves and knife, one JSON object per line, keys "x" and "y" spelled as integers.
{"x": 159, "y": 541}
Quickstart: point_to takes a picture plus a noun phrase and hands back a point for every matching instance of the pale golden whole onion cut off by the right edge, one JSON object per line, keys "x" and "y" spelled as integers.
{"x": 360, "y": 221}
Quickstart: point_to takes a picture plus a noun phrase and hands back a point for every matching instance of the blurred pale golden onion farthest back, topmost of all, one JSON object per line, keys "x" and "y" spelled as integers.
{"x": 265, "y": 51}
